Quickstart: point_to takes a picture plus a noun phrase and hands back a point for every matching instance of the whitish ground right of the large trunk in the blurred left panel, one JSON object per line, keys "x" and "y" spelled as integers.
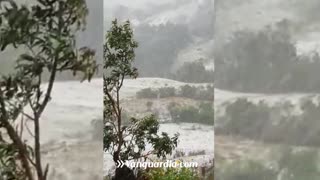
{"x": 66, "y": 131}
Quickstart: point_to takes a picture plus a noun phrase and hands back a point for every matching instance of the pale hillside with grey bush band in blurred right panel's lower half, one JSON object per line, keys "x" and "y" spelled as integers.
{"x": 261, "y": 137}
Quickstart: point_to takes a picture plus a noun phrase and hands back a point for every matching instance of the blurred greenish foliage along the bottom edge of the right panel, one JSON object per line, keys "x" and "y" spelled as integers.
{"x": 287, "y": 164}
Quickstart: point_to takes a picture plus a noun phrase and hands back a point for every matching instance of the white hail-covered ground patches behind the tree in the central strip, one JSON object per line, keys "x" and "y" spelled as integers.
{"x": 193, "y": 137}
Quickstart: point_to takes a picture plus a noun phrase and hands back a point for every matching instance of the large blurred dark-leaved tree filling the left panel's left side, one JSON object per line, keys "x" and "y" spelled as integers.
{"x": 45, "y": 30}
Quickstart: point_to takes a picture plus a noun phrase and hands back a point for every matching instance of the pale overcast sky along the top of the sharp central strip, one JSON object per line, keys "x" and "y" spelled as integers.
{"x": 153, "y": 11}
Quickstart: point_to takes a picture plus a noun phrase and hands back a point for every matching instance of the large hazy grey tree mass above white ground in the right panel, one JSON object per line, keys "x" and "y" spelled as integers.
{"x": 266, "y": 61}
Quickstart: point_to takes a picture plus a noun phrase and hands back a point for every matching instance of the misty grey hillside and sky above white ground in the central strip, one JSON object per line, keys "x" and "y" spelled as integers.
{"x": 171, "y": 35}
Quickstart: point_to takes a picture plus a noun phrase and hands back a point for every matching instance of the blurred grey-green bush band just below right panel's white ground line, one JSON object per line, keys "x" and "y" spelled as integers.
{"x": 272, "y": 124}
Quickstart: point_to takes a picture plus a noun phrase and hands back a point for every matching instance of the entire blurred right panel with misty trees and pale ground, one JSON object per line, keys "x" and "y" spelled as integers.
{"x": 267, "y": 87}
